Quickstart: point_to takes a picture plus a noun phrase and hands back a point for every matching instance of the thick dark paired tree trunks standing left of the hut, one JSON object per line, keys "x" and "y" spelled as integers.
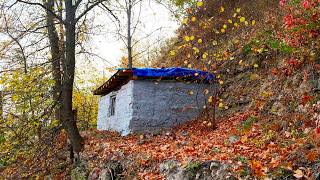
{"x": 63, "y": 54}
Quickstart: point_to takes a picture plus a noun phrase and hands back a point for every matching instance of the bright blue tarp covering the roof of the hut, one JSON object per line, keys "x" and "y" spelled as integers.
{"x": 173, "y": 72}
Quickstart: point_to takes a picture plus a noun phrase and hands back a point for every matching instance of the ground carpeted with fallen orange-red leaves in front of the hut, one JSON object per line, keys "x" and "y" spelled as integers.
{"x": 253, "y": 144}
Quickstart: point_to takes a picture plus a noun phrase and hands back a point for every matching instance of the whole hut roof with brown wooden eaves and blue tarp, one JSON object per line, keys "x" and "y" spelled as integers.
{"x": 123, "y": 76}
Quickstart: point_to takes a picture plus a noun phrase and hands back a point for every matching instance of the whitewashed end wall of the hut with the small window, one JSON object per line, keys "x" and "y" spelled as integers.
{"x": 123, "y": 110}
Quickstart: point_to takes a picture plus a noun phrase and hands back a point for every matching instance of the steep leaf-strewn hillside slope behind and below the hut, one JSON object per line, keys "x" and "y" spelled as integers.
{"x": 267, "y": 60}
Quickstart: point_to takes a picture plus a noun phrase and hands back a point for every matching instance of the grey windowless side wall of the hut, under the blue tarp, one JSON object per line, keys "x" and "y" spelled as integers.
{"x": 165, "y": 104}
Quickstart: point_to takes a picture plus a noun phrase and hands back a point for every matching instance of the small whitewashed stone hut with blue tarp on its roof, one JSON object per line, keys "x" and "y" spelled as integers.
{"x": 149, "y": 99}
